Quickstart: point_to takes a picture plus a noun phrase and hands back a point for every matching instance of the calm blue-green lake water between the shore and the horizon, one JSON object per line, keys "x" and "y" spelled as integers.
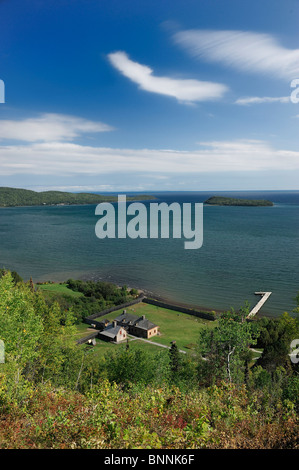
{"x": 246, "y": 249}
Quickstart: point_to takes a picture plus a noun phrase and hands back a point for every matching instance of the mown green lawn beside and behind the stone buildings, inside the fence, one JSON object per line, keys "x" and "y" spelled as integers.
{"x": 174, "y": 326}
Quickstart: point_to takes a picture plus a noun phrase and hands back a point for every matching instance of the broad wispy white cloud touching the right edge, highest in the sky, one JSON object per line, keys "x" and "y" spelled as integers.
{"x": 242, "y": 50}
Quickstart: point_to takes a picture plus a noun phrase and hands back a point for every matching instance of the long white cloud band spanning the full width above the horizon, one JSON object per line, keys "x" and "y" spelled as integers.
{"x": 69, "y": 159}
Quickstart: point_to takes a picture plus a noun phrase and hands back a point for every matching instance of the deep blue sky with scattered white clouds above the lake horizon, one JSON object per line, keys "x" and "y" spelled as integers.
{"x": 149, "y": 95}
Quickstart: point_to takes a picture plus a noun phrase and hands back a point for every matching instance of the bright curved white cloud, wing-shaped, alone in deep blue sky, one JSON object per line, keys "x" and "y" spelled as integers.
{"x": 184, "y": 90}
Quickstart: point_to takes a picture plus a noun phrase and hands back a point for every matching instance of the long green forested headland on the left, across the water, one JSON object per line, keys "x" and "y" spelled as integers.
{"x": 10, "y": 197}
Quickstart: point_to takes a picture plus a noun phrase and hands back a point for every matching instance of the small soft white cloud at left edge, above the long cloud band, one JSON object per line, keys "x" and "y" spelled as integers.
{"x": 49, "y": 127}
